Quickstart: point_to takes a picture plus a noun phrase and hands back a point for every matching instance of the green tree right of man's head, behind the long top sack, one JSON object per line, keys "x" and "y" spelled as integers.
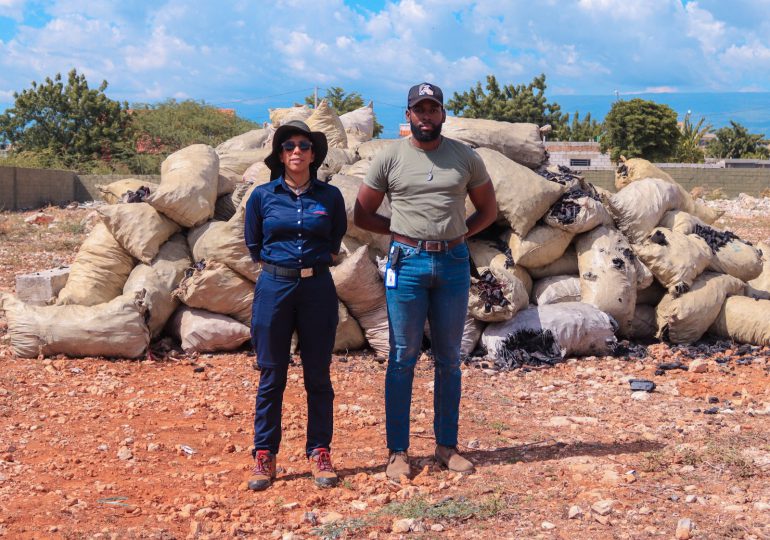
{"x": 521, "y": 103}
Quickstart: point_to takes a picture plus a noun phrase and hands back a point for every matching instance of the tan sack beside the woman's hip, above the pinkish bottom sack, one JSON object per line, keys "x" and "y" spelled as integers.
{"x": 216, "y": 288}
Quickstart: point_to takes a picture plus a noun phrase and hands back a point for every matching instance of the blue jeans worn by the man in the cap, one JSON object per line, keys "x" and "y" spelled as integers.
{"x": 432, "y": 285}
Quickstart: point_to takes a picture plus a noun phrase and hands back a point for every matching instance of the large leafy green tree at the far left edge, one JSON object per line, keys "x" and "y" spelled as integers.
{"x": 66, "y": 125}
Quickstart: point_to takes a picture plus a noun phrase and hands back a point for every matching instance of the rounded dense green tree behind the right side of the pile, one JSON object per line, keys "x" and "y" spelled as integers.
{"x": 640, "y": 128}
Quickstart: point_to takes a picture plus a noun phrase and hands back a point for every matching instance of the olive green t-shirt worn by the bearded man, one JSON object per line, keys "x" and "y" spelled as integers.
{"x": 427, "y": 189}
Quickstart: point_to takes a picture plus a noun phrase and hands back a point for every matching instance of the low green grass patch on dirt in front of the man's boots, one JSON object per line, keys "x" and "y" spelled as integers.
{"x": 461, "y": 508}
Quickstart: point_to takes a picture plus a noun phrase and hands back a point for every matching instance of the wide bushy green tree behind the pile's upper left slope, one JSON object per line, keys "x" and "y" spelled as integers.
{"x": 163, "y": 128}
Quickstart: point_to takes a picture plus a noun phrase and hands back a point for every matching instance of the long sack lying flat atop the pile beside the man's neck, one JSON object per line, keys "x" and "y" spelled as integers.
{"x": 519, "y": 142}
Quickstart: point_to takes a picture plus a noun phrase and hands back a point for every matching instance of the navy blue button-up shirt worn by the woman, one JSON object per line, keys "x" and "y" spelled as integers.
{"x": 295, "y": 231}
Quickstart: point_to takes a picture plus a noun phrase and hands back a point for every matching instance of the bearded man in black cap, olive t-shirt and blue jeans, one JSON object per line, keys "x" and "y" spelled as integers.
{"x": 426, "y": 178}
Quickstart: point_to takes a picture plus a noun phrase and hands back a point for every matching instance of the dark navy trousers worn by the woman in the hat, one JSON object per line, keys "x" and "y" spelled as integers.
{"x": 281, "y": 306}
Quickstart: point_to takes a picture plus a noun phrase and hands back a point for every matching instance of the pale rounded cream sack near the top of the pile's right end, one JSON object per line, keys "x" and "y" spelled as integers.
{"x": 639, "y": 207}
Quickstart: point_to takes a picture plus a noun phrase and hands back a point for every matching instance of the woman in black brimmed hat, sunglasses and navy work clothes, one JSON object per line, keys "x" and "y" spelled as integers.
{"x": 294, "y": 227}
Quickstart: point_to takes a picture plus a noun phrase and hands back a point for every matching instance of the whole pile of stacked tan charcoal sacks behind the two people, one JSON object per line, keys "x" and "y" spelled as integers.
{"x": 567, "y": 268}
